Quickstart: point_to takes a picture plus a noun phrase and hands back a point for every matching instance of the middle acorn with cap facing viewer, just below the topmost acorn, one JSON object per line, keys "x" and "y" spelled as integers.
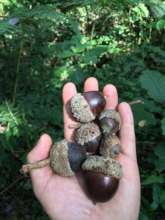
{"x": 88, "y": 135}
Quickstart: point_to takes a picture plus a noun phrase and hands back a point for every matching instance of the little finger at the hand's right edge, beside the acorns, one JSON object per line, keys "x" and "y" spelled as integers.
{"x": 127, "y": 133}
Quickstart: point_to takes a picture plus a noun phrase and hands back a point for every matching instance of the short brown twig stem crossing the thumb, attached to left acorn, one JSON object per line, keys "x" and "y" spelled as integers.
{"x": 31, "y": 166}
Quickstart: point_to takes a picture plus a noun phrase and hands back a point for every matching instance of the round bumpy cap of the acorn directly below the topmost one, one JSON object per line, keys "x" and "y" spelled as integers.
{"x": 87, "y": 132}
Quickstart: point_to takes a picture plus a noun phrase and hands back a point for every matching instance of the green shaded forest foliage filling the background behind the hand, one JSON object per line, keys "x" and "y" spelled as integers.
{"x": 44, "y": 44}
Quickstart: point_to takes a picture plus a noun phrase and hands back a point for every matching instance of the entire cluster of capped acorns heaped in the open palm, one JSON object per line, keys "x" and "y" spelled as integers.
{"x": 94, "y": 148}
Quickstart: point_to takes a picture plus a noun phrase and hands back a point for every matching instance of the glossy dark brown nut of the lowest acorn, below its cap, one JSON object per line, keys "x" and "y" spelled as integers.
{"x": 100, "y": 188}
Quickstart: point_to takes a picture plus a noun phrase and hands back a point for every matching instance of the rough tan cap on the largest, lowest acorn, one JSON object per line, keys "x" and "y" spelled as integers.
{"x": 107, "y": 166}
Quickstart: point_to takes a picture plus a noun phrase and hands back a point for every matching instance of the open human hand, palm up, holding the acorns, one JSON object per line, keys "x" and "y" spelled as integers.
{"x": 62, "y": 197}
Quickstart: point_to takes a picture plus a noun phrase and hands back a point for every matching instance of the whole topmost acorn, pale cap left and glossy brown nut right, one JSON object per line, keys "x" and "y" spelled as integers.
{"x": 86, "y": 106}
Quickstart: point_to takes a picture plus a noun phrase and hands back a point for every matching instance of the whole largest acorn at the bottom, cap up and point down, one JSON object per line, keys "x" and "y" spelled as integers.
{"x": 101, "y": 176}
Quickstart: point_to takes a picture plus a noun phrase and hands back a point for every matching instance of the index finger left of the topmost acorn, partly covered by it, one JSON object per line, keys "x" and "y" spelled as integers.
{"x": 69, "y": 90}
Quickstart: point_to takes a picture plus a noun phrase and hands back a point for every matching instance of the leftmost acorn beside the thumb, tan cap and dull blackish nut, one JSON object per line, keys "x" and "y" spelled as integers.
{"x": 66, "y": 157}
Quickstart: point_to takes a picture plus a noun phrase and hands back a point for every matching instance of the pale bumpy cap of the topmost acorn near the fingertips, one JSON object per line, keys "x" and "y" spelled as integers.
{"x": 81, "y": 109}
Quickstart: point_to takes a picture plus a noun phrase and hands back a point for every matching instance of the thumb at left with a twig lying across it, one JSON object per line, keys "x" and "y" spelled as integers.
{"x": 40, "y": 152}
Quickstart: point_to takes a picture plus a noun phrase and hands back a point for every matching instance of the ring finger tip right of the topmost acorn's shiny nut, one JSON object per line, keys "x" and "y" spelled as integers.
{"x": 110, "y": 92}
